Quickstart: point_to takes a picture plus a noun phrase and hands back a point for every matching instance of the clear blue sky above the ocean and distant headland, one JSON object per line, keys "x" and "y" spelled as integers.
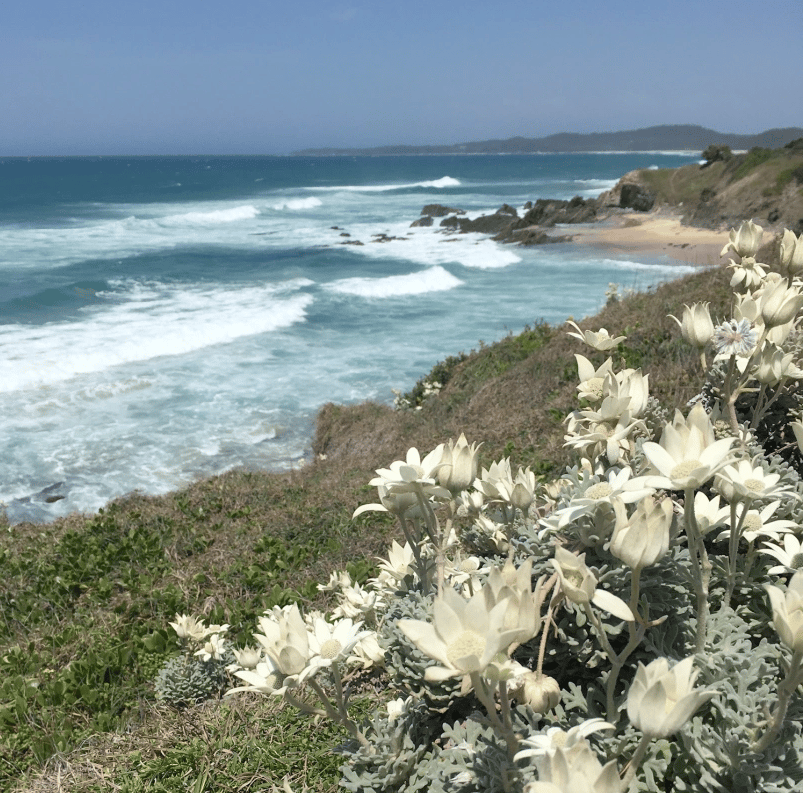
{"x": 179, "y": 77}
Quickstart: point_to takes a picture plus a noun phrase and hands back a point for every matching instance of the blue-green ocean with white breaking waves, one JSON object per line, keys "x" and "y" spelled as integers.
{"x": 169, "y": 318}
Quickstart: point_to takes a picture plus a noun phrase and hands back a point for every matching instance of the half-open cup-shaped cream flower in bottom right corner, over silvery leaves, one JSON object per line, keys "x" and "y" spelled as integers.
{"x": 661, "y": 700}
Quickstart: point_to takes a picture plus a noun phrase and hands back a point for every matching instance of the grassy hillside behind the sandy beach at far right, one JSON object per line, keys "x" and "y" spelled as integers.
{"x": 760, "y": 184}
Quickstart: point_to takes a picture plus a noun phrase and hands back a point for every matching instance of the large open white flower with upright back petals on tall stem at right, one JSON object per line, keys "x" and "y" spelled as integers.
{"x": 688, "y": 455}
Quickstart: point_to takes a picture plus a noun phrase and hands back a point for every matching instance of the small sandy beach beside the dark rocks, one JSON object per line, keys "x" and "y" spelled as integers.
{"x": 655, "y": 234}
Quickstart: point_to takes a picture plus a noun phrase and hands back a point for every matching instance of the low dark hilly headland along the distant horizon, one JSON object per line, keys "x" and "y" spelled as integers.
{"x": 668, "y": 137}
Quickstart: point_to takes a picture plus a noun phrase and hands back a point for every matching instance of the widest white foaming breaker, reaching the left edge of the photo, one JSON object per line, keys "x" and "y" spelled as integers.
{"x": 142, "y": 321}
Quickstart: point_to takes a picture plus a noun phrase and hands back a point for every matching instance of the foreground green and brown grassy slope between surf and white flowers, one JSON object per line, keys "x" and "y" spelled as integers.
{"x": 80, "y": 596}
